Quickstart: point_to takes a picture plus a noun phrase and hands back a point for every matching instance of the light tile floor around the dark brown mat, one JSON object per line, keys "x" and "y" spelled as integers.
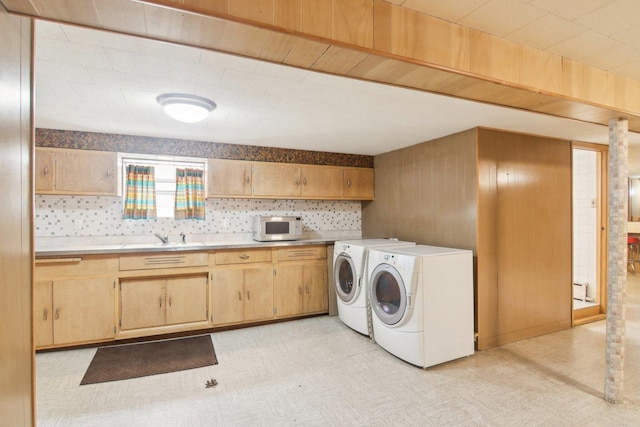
{"x": 317, "y": 372}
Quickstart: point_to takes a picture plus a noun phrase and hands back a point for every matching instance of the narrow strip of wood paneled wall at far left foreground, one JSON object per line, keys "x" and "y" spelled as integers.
{"x": 16, "y": 259}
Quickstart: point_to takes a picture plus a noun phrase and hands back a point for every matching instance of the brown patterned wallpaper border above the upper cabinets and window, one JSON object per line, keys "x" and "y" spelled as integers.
{"x": 181, "y": 147}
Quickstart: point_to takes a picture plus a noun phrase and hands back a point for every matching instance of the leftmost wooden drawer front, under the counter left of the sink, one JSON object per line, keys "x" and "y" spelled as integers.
{"x": 79, "y": 266}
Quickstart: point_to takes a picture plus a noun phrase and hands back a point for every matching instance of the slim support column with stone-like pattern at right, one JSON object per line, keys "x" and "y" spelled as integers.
{"x": 617, "y": 259}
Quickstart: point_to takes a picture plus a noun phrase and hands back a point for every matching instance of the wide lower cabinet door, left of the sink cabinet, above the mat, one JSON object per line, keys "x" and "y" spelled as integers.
{"x": 83, "y": 310}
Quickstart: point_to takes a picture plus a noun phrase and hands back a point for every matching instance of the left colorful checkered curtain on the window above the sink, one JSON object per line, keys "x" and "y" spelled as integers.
{"x": 140, "y": 201}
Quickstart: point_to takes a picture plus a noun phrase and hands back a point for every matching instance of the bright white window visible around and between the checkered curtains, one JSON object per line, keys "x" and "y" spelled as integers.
{"x": 165, "y": 176}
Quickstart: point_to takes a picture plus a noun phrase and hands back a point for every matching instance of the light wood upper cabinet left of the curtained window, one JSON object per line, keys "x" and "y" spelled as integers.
{"x": 63, "y": 171}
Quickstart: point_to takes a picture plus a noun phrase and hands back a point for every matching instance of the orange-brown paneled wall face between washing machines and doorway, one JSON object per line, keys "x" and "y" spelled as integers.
{"x": 524, "y": 283}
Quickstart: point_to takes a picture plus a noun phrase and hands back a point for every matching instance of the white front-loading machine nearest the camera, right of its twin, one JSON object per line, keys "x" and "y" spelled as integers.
{"x": 422, "y": 302}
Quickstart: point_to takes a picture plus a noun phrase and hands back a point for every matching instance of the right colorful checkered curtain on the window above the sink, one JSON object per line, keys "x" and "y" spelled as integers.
{"x": 189, "y": 194}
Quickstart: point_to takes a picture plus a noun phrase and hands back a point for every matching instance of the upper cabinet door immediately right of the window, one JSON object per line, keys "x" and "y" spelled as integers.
{"x": 229, "y": 178}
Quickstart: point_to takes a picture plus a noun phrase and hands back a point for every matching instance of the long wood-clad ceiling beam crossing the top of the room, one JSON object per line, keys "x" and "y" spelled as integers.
{"x": 372, "y": 40}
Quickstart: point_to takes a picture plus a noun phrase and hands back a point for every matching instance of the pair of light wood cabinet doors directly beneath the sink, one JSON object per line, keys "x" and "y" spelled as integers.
{"x": 160, "y": 302}
